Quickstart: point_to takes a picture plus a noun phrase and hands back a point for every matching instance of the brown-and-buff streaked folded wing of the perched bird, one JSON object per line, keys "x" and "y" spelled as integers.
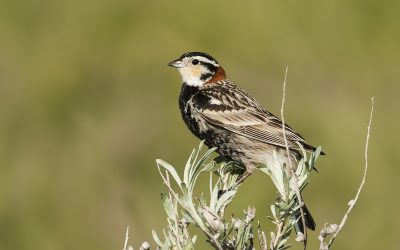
{"x": 241, "y": 114}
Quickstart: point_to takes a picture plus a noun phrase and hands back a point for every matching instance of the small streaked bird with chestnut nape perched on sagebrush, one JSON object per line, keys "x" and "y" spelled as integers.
{"x": 226, "y": 117}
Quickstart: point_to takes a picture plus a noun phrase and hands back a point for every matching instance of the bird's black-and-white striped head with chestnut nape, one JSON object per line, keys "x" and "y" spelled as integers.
{"x": 198, "y": 68}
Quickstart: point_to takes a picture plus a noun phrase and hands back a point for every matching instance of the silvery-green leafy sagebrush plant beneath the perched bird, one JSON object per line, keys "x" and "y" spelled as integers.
{"x": 207, "y": 212}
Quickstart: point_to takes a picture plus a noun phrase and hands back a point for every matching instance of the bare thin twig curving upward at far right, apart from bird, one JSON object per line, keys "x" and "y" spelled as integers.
{"x": 353, "y": 202}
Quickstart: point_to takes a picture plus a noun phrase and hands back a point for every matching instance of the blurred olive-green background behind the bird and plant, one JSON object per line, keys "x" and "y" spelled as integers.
{"x": 87, "y": 104}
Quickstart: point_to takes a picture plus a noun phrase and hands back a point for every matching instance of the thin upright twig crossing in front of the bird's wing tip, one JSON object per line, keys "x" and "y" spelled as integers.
{"x": 296, "y": 184}
